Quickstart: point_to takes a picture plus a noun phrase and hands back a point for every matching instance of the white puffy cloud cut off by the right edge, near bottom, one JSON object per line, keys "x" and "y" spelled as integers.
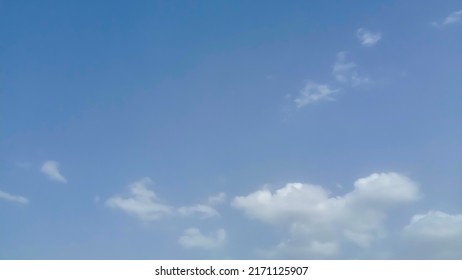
{"x": 435, "y": 235}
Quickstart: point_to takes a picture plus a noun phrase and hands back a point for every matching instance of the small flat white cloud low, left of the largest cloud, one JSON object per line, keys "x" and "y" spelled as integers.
{"x": 193, "y": 238}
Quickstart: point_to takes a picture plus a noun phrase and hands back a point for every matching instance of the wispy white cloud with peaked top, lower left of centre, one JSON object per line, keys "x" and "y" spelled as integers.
{"x": 142, "y": 202}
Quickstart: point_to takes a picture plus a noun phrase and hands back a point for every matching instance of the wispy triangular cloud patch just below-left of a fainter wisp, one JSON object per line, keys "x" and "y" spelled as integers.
{"x": 313, "y": 93}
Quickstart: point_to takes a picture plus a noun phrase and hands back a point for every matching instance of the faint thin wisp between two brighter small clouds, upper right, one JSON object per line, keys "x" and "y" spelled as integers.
{"x": 344, "y": 71}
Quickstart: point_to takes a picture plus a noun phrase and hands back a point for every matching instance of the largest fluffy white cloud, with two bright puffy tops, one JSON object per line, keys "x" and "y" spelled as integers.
{"x": 317, "y": 224}
